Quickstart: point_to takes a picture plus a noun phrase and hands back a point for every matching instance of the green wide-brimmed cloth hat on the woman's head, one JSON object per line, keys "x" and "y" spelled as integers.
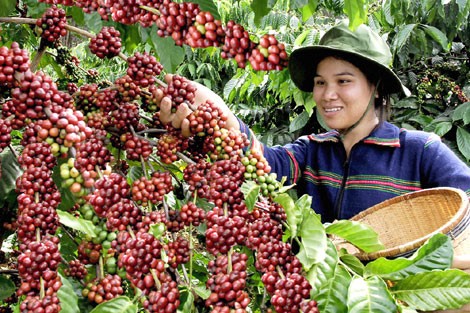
{"x": 362, "y": 45}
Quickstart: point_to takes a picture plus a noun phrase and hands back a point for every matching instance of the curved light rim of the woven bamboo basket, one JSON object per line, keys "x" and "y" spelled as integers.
{"x": 401, "y": 249}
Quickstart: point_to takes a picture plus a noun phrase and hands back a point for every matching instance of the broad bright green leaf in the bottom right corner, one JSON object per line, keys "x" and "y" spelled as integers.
{"x": 436, "y": 290}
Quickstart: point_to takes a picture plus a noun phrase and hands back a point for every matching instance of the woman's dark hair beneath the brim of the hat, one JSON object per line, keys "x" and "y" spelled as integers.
{"x": 373, "y": 74}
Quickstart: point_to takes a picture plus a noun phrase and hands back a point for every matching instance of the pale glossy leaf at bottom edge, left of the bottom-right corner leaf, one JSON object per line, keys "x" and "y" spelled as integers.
{"x": 369, "y": 295}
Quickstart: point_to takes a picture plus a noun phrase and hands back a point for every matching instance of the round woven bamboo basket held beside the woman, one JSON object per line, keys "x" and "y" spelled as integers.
{"x": 404, "y": 223}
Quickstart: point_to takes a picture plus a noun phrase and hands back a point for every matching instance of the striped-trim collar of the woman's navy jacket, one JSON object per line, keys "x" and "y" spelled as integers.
{"x": 385, "y": 134}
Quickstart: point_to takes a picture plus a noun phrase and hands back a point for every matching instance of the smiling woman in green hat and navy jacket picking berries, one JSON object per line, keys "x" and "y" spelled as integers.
{"x": 363, "y": 160}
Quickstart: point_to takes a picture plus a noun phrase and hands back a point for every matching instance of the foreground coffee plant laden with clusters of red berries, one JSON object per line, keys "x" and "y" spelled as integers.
{"x": 109, "y": 210}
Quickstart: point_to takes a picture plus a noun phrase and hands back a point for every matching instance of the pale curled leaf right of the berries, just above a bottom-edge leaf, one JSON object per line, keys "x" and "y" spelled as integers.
{"x": 322, "y": 272}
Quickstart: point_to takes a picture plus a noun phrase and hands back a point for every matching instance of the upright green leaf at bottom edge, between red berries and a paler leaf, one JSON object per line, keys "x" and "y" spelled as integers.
{"x": 333, "y": 295}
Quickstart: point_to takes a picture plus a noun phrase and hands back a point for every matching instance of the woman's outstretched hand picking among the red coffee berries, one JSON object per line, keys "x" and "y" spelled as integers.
{"x": 179, "y": 119}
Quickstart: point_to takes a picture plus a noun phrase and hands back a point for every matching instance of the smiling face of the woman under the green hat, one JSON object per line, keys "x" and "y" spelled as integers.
{"x": 342, "y": 93}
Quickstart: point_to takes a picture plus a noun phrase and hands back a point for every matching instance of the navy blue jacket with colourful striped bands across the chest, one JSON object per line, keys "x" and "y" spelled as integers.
{"x": 388, "y": 163}
